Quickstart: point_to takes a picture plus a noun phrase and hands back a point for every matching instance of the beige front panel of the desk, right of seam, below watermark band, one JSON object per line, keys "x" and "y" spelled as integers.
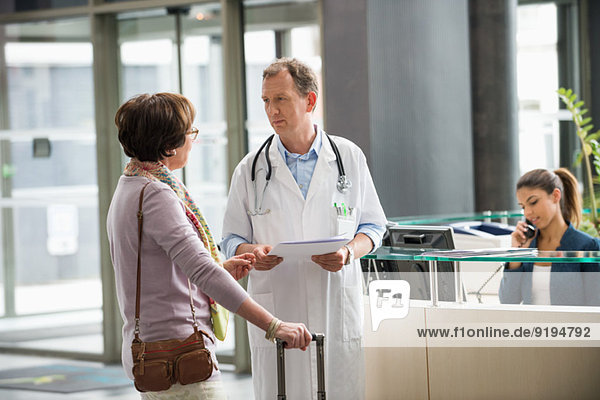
{"x": 514, "y": 373}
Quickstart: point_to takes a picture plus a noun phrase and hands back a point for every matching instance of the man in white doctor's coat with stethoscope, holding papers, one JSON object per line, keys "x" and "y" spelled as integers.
{"x": 297, "y": 203}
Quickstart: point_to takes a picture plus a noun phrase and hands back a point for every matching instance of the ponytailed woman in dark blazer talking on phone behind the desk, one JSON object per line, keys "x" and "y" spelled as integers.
{"x": 552, "y": 203}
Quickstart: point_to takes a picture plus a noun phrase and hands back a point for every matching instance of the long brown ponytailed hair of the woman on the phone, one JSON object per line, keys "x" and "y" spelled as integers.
{"x": 570, "y": 201}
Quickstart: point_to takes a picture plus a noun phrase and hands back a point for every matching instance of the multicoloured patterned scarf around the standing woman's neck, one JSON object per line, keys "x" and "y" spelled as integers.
{"x": 156, "y": 171}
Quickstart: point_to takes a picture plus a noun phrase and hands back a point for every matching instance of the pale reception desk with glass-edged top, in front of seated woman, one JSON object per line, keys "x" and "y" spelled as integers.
{"x": 403, "y": 362}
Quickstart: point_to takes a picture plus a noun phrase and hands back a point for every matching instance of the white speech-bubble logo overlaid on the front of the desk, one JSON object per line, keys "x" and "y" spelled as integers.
{"x": 389, "y": 299}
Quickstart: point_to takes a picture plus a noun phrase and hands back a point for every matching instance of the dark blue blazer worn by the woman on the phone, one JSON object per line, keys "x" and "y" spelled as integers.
{"x": 568, "y": 285}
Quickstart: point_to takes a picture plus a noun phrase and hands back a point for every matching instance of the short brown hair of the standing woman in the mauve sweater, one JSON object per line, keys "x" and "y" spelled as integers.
{"x": 150, "y": 125}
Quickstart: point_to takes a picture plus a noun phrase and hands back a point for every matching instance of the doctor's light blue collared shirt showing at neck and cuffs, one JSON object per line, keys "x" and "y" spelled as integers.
{"x": 302, "y": 167}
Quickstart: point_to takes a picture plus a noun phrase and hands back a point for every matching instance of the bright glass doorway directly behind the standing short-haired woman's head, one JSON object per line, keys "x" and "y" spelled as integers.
{"x": 186, "y": 57}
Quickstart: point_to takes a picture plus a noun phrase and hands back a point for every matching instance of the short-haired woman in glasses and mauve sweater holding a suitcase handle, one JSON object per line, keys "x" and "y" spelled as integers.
{"x": 156, "y": 131}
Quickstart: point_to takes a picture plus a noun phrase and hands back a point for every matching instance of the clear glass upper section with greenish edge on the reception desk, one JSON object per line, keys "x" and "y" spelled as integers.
{"x": 480, "y": 276}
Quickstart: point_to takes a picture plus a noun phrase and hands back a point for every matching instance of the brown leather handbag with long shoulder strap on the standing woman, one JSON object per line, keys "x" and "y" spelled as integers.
{"x": 158, "y": 365}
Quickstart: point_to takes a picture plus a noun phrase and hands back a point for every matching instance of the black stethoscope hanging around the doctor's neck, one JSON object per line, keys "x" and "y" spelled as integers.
{"x": 343, "y": 183}
